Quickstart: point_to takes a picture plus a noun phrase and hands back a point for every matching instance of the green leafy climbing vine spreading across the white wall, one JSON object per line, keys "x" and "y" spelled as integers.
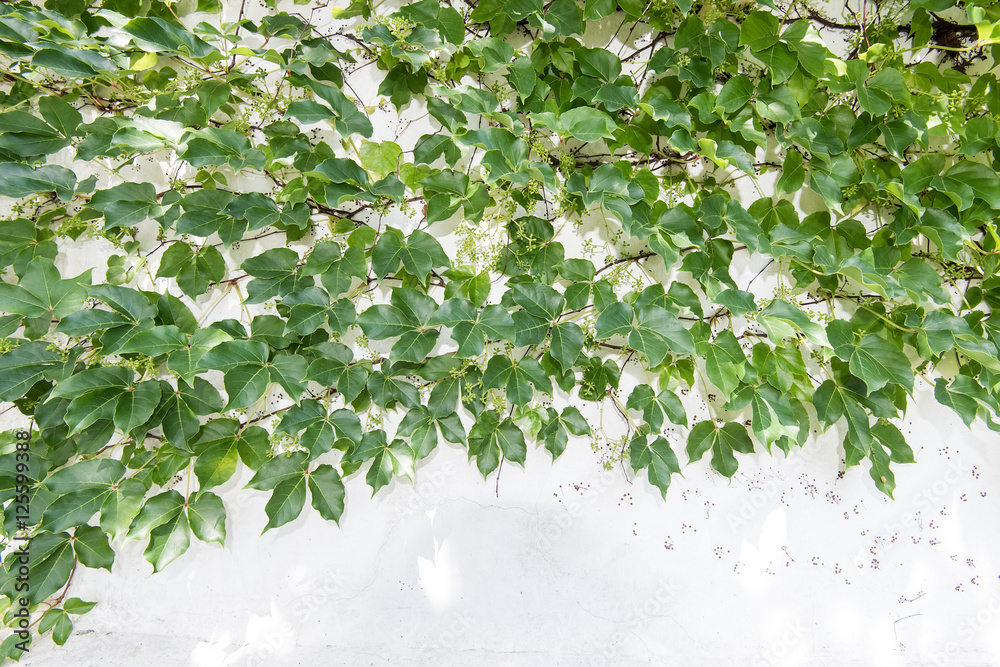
{"x": 225, "y": 249}
